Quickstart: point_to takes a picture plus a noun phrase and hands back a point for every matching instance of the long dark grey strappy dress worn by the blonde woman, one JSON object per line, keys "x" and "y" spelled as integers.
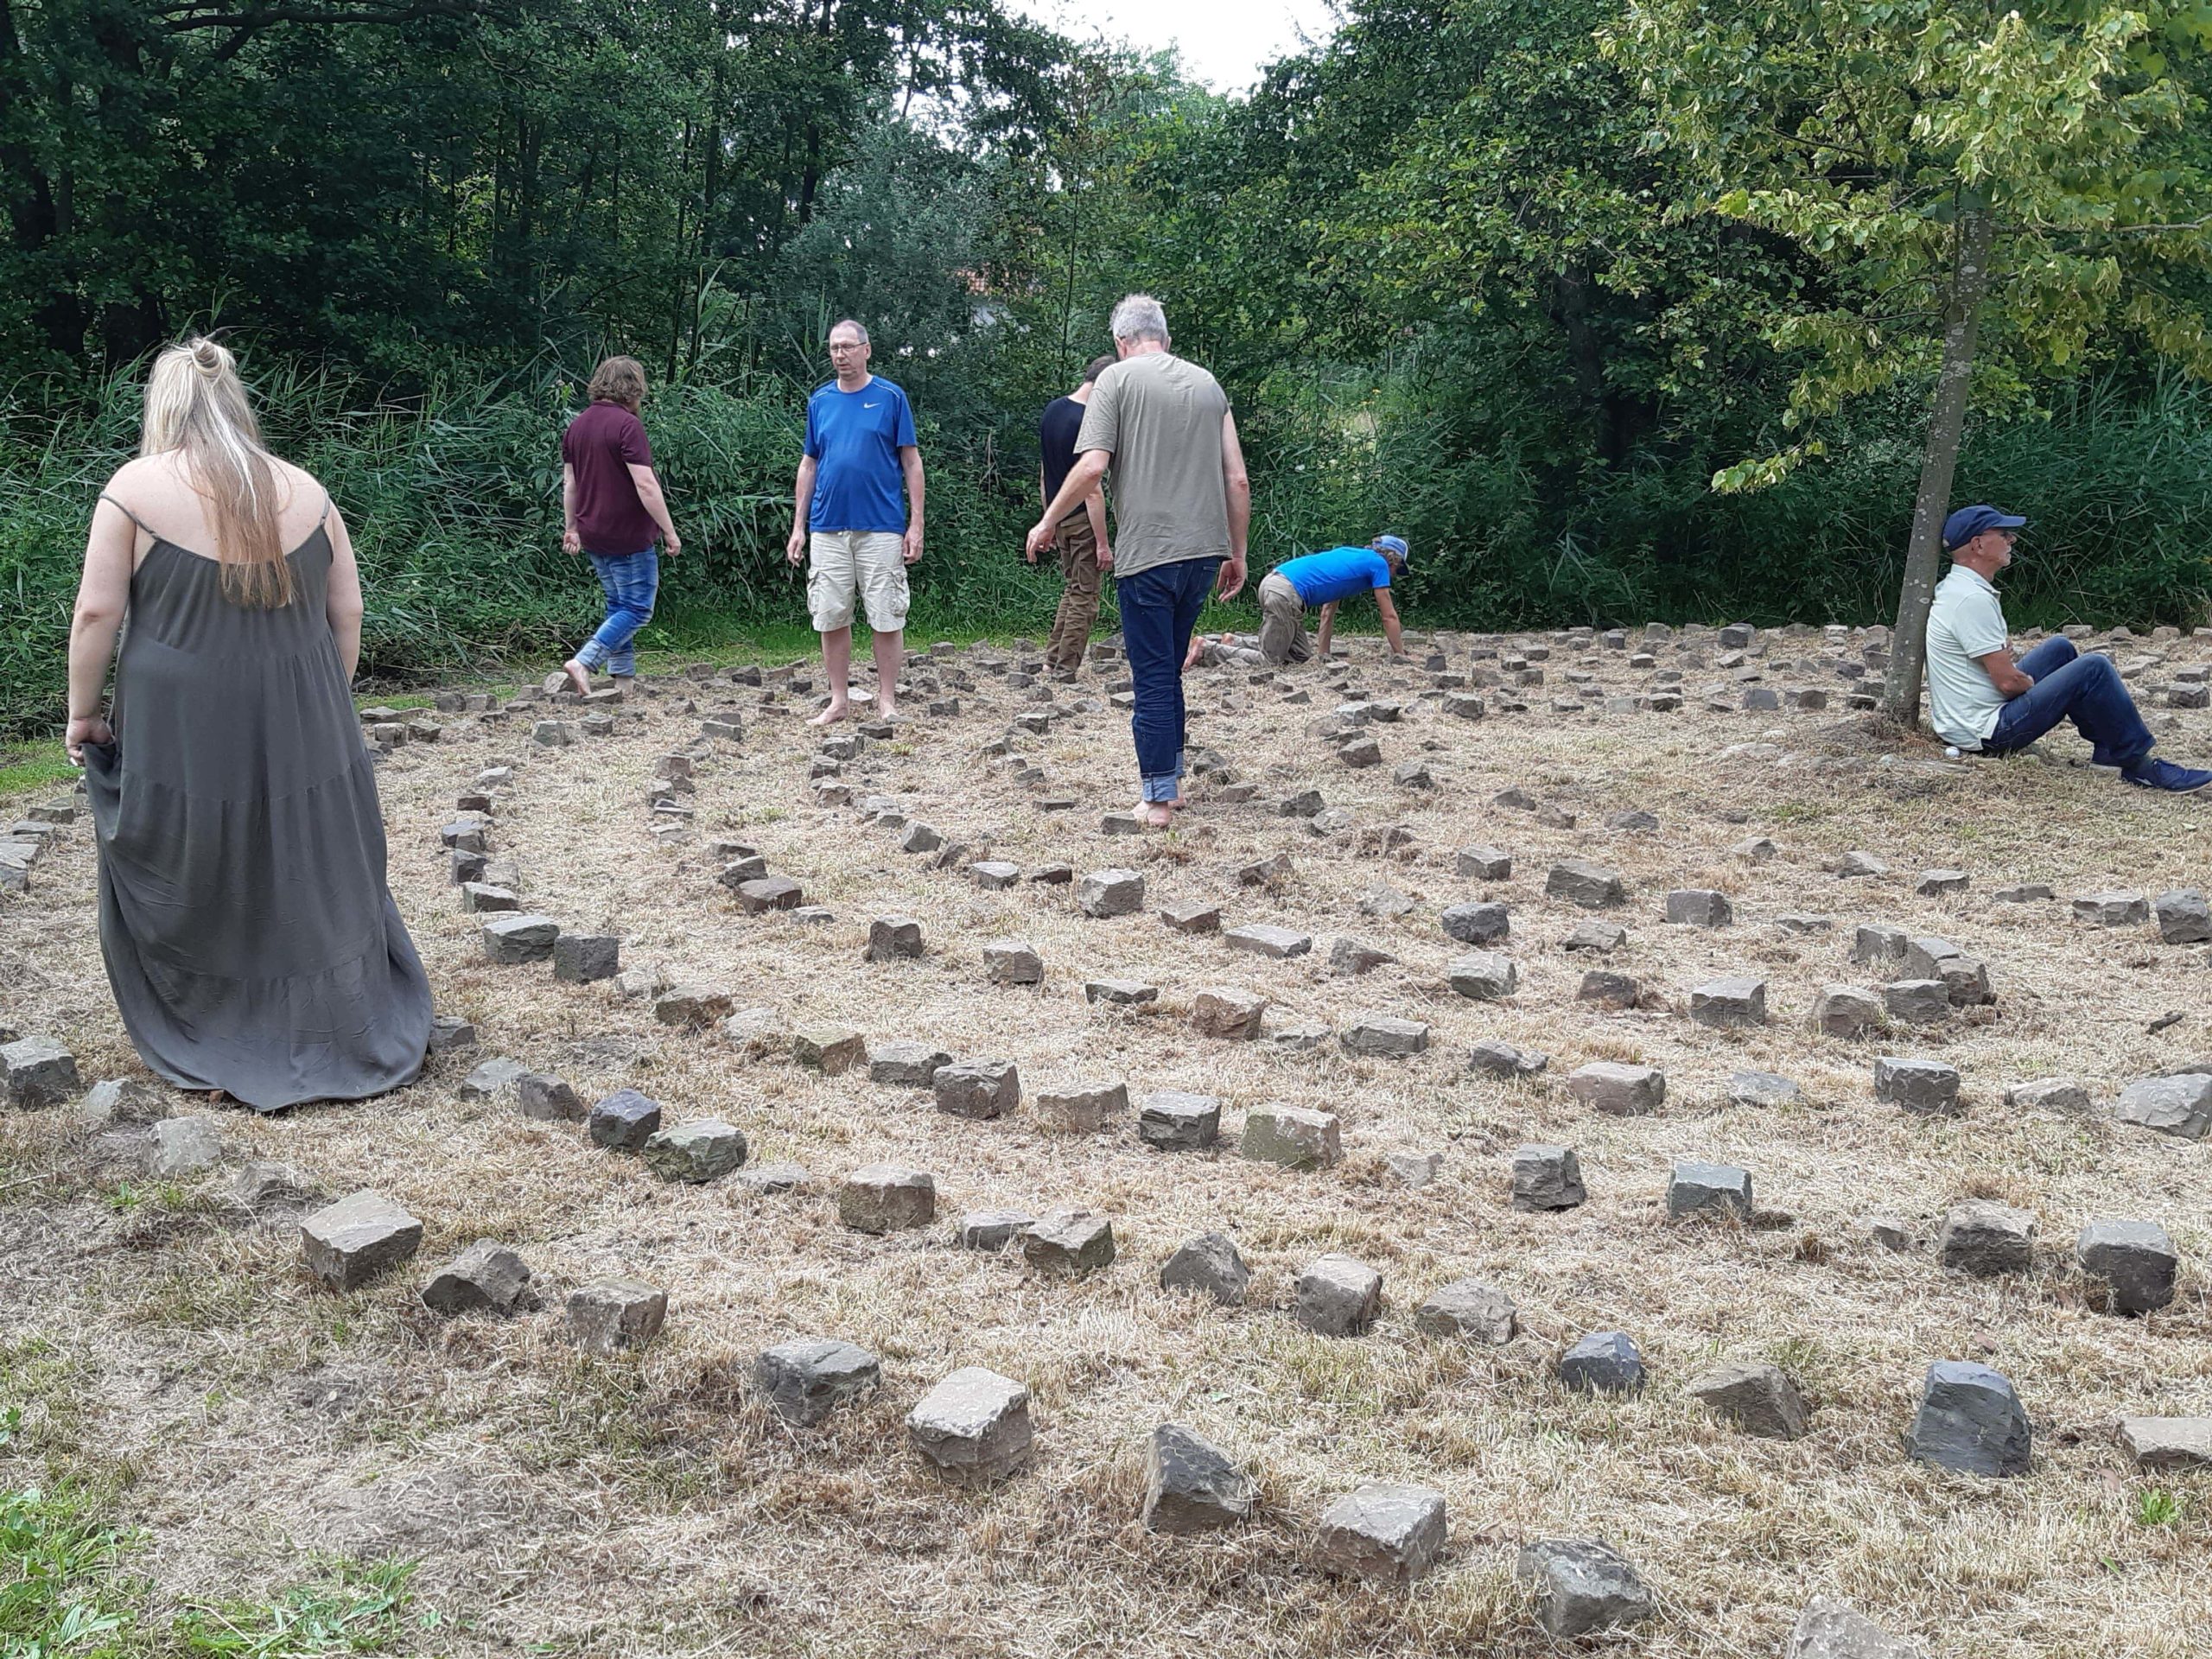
{"x": 244, "y": 915}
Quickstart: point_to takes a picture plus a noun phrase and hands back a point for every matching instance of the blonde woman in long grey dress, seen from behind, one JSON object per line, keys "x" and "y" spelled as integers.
{"x": 244, "y": 915}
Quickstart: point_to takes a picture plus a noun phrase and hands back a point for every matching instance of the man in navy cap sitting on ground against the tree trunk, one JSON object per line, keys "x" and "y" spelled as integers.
{"x": 1983, "y": 700}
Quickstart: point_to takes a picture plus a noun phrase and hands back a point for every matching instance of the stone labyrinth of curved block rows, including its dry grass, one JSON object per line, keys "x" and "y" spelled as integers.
{"x": 1567, "y": 1136}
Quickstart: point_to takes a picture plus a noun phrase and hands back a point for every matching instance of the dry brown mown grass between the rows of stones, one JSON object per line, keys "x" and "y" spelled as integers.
{"x": 647, "y": 1507}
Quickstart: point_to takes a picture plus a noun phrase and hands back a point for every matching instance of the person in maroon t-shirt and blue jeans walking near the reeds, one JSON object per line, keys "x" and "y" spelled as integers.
{"x": 614, "y": 512}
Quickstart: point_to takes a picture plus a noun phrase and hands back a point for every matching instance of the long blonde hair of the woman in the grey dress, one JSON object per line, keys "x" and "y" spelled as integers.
{"x": 196, "y": 408}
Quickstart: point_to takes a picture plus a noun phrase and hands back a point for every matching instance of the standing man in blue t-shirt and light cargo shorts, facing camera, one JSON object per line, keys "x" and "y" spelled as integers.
{"x": 848, "y": 521}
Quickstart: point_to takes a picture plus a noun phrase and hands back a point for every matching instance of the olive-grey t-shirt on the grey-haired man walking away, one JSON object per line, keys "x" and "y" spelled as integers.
{"x": 1160, "y": 419}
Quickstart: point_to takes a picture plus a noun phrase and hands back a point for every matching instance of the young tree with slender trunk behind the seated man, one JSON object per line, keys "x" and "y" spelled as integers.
{"x": 1979, "y": 178}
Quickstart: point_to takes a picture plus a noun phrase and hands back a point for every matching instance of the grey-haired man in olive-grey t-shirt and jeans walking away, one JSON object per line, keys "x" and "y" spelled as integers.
{"x": 1182, "y": 505}
